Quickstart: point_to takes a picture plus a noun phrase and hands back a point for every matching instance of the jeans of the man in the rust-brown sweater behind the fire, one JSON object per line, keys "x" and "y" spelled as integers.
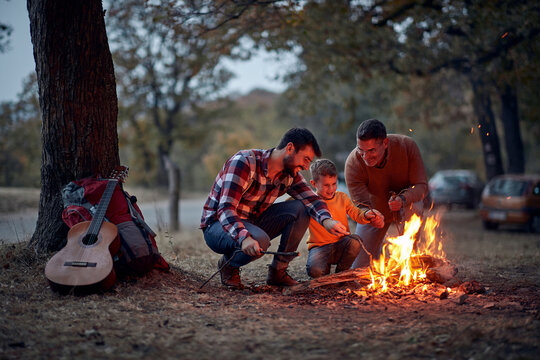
{"x": 373, "y": 237}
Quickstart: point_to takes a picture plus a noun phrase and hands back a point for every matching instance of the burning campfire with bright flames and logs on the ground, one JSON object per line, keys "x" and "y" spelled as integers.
{"x": 411, "y": 263}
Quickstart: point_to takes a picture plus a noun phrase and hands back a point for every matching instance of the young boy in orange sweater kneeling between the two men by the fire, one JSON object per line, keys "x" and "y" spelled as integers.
{"x": 324, "y": 248}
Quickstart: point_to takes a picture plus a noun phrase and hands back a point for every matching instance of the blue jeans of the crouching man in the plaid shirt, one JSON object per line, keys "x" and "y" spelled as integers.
{"x": 288, "y": 219}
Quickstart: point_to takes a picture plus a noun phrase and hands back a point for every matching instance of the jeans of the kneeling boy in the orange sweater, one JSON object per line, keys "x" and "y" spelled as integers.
{"x": 341, "y": 253}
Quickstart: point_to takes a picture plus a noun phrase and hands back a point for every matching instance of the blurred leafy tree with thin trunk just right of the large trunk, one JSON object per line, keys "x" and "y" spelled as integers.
{"x": 165, "y": 72}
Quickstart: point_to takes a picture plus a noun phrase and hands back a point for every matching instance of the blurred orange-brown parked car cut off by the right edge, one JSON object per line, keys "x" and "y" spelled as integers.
{"x": 512, "y": 199}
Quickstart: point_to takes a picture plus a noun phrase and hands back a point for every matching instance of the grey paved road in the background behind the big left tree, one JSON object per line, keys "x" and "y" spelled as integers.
{"x": 20, "y": 226}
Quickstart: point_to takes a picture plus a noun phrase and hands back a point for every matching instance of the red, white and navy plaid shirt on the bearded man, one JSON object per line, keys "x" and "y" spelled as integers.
{"x": 242, "y": 191}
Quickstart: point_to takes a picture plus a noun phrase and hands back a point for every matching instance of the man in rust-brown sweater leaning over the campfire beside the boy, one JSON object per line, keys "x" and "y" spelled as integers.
{"x": 386, "y": 172}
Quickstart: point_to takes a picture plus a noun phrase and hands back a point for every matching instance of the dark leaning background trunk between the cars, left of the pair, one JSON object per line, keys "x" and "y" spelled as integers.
{"x": 487, "y": 128}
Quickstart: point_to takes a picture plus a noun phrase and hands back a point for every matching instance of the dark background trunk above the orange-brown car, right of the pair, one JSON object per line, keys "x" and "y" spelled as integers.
{"x": 512, "y": 133}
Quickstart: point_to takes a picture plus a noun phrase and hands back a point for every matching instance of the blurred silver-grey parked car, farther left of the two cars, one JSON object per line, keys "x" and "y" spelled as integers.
{"x": 456, "y": 187}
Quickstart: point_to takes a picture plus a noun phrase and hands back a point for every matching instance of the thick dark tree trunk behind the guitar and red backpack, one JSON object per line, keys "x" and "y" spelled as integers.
{"x": 77, "y": 96}
